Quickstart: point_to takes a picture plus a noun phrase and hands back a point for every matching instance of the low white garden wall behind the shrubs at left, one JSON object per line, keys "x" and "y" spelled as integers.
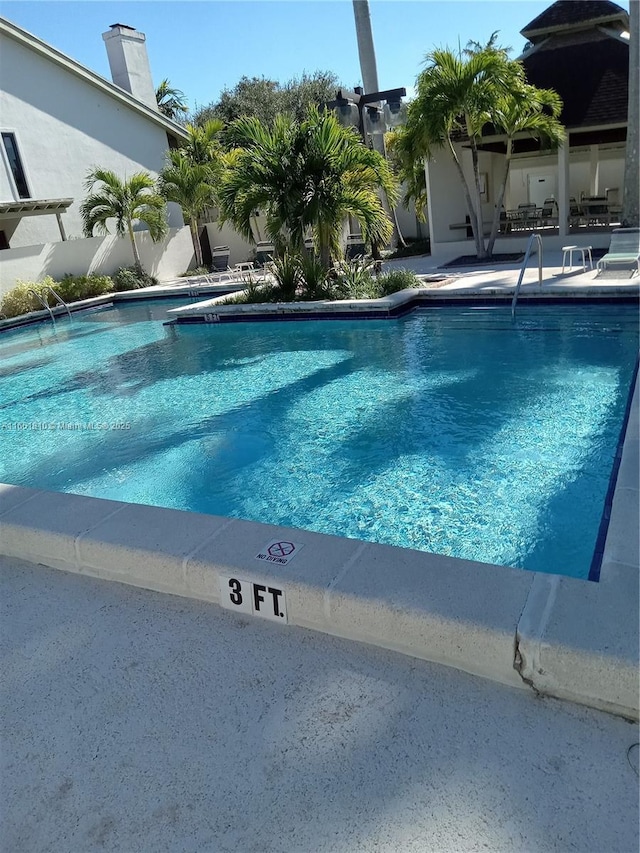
{"x": 165, "y": 260}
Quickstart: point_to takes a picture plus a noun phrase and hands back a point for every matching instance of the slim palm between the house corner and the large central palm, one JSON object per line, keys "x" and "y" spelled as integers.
{"x": 191, "y": 186}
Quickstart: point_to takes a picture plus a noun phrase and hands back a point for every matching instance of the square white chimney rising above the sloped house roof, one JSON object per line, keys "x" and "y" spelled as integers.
{"x": 129, "y": 63}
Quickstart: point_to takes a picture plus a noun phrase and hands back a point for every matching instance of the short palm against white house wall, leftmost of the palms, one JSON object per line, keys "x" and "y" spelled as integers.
{"x": 126, "y": 201}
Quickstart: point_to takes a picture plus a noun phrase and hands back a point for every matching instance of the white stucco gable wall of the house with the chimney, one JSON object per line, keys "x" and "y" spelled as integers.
{"x": 64, "y": 127}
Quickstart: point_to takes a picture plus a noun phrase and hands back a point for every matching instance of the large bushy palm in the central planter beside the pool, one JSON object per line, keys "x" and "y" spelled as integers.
{"x": 308, "y": 175}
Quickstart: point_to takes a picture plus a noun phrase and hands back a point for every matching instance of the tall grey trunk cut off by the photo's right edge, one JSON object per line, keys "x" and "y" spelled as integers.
{"x": 630, "y": 202}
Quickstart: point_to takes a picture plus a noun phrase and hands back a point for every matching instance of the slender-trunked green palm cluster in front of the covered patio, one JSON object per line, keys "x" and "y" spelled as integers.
{"x": 459, "y": 95}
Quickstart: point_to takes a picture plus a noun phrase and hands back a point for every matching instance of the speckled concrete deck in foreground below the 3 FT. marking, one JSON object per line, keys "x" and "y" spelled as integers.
{"x": 136, "y": 721}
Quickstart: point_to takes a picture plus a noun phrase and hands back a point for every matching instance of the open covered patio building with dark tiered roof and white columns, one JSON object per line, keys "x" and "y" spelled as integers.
{"x": 580, "y": 49}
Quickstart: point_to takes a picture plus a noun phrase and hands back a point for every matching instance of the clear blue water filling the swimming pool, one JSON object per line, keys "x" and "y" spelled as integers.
{"x": 449, "y": 431}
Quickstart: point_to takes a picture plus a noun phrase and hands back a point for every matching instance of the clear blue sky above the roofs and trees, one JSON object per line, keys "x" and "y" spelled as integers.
{"x": 205, "y": 47}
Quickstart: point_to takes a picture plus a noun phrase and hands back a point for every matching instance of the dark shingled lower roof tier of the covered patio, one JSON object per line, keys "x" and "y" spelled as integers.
{"x": 592, "y": 78}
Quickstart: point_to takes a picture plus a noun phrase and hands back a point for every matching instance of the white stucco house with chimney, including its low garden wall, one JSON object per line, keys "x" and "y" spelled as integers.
{"x": 58, "y": 120}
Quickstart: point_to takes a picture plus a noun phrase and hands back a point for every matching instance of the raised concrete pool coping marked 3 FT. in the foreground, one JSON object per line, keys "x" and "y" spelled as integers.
{"x": 572, "y": 639}
